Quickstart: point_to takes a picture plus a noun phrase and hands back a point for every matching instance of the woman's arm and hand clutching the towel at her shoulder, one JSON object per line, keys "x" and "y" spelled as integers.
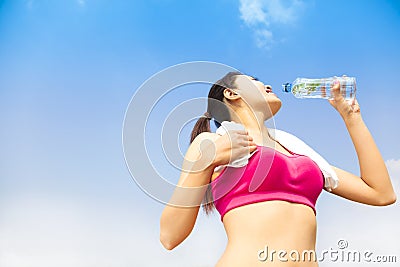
{"x": 207, "y": 151}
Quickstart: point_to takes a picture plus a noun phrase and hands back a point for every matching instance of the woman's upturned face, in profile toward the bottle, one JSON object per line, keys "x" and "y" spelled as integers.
{"x": 257, "y": 95}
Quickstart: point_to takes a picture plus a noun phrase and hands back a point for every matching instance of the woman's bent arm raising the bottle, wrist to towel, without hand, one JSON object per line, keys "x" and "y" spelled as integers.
{"x": 373, "y": 187}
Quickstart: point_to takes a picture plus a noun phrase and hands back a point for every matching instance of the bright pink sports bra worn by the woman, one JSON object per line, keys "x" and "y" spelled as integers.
{"x": 269, "y": 175}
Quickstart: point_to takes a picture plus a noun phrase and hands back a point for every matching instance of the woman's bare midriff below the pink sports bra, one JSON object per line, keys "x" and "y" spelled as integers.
{"x": 257, "y": 232}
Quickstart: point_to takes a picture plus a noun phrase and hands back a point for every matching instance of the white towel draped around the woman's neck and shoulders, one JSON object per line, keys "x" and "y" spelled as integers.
{"x": 290, "y": 142}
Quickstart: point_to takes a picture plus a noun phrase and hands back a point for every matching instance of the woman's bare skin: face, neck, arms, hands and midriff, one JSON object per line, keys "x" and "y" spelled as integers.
{"x": 278, "y": 224}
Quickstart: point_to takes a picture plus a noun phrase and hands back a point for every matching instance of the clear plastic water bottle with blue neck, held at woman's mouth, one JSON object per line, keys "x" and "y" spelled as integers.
{"x": 321, "y": 88}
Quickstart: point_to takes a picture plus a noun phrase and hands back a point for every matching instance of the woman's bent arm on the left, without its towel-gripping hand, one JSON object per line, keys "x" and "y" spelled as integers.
{"x": 179, "y": 216}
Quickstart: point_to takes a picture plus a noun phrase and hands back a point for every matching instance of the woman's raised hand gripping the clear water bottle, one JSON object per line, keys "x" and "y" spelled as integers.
{"x": 348, "y": 109}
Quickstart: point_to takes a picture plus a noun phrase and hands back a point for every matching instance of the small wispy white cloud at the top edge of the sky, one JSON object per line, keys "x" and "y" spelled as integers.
{"x": 261, "y": 15}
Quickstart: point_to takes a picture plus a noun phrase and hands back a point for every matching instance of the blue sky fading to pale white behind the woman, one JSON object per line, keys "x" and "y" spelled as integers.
{"x": 69, "y": 68}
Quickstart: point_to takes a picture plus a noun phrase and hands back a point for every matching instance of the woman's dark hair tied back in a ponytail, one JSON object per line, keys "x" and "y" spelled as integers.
{"x": 217, "y": 110}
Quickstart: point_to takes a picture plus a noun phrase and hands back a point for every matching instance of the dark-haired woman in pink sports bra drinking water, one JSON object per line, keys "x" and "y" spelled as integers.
{"x": 284, "y": 220}
